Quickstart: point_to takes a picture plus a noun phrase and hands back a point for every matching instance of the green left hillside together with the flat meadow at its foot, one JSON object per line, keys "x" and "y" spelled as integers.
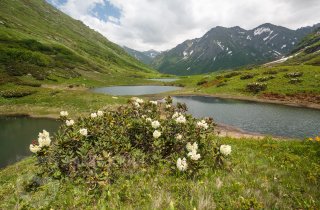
{"x": 41, "y": 45}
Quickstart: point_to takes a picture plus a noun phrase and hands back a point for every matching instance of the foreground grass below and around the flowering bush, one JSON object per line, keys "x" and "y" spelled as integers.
{"x": 264, "y": 173}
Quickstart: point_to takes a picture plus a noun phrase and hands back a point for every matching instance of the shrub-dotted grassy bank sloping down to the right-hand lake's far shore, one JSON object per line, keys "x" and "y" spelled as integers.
{"x": 285, "y": 83}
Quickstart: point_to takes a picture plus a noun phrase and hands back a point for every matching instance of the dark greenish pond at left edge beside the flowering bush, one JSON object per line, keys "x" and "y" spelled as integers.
{"x": 16, "y": 134}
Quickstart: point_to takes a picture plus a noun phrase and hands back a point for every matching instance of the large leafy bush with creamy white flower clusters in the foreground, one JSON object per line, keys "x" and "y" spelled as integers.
{"x": 100, "y": 147}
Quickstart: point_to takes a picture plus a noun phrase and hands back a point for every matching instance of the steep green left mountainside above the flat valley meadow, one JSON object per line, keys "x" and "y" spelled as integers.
{"x": 39, "y": 40}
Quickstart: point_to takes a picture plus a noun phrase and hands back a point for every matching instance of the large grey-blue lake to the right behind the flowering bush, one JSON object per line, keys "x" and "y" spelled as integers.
{"x": 272, "y": 119}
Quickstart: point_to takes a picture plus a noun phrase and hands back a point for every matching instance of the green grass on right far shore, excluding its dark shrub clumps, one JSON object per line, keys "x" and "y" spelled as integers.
{"x": 234, "y": 85}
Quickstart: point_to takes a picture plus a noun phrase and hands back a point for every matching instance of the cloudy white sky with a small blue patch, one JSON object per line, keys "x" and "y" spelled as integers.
{"x": 163, "y": 24}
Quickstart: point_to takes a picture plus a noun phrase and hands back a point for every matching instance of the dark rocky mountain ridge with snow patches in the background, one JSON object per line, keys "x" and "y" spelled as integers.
{"x": 225, "y": 48}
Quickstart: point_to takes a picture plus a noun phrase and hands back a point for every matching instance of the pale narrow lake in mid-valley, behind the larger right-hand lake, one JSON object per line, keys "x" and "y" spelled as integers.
{"x": 135, "y": 90}
